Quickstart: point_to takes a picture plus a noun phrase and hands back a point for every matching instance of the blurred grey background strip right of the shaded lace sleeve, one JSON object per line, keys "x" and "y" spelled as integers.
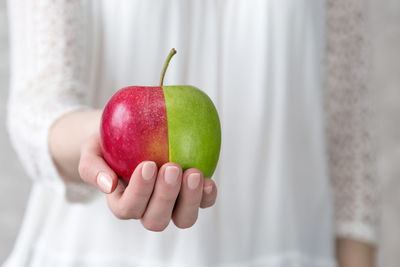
{"x": 386, "y": 44}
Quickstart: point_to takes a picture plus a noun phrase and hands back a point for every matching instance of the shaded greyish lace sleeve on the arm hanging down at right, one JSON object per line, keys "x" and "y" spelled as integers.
{"x": 349, "y": 119}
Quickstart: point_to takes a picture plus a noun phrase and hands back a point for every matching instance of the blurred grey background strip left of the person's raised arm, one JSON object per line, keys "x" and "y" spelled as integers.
{"x": 14, "y": 185}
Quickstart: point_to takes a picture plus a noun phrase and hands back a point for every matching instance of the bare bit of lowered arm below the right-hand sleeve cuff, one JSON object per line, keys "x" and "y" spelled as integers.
{"x": 351, "y": 253}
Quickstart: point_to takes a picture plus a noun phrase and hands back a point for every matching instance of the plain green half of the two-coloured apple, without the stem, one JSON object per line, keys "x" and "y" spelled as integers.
{"x": 194, "y": 131}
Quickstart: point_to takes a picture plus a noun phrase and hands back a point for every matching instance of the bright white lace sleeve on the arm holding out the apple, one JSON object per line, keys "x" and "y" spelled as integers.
{"x": 46, "y": 68}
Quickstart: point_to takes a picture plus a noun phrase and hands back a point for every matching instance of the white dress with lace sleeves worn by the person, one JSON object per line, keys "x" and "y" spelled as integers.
{"x": 262, "y": 63}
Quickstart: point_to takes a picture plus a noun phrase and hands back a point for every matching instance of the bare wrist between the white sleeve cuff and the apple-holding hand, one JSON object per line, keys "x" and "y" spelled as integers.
{"x": 66, "y": 137}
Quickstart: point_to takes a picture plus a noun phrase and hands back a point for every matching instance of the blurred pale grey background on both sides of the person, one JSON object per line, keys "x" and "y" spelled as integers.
{"x": 14, "y": 185}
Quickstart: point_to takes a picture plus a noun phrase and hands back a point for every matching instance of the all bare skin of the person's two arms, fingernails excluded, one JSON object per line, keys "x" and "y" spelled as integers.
{"x": 150, "y": 201}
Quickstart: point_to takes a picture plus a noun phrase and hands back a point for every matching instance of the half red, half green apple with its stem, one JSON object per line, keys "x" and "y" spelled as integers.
{"x": 163, "y": 124}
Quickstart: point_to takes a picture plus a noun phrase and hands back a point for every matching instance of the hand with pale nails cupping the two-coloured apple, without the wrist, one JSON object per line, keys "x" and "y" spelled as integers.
{"x": 153, "y": 196}
